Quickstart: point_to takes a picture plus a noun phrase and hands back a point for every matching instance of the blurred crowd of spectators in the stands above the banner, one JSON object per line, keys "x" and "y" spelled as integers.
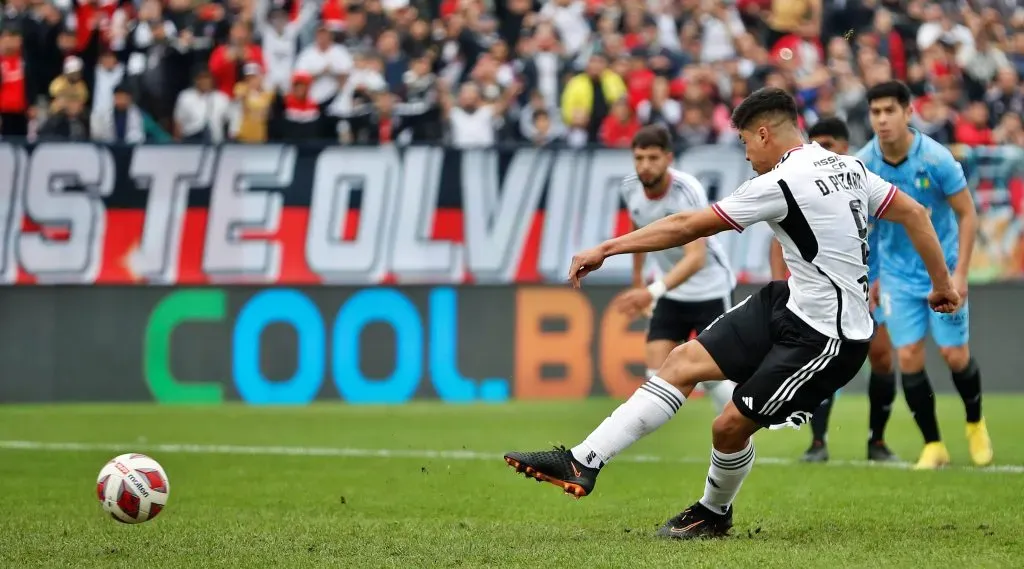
{"x": 476, "y": 73}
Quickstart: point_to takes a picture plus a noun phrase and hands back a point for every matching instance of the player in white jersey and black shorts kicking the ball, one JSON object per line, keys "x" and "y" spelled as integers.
{"x": 791, "y": 345}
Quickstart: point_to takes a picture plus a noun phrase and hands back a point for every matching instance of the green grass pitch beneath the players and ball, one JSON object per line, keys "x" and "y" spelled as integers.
{"x": 332, "y": 486}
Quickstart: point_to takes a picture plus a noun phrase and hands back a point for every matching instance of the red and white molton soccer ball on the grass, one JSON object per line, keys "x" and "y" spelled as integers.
{"x": 133, "y": 489}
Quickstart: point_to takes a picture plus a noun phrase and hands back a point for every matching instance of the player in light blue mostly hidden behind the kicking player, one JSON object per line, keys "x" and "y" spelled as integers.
{"x": 833, "y": 135}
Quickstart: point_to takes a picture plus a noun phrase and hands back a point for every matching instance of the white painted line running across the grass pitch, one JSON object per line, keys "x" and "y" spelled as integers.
{"x": 418, "y": 454}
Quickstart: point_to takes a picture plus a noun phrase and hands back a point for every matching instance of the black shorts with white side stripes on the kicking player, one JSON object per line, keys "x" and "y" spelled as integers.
{"x": 784, "y": 368}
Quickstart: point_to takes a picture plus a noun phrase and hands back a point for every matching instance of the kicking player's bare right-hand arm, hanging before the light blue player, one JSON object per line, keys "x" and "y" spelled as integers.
{"x": 914, "y": 217}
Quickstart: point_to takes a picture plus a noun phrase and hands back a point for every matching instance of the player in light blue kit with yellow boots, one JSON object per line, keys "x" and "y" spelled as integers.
{"x": 928, "y": 172}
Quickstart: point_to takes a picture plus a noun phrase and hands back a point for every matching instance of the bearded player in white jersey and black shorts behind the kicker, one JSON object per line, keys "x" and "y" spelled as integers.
{"x": 695, "y": 283}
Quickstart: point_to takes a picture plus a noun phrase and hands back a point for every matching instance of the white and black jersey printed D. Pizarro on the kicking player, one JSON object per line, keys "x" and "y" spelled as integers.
{"x": 818, "y": 203}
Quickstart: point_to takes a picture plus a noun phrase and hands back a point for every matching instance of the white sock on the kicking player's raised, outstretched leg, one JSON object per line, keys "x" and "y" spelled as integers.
{"x": 651, "y": 407}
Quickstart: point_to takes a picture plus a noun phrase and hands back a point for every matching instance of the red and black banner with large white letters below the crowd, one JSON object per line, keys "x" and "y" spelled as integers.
{"x": 80, "y": 213}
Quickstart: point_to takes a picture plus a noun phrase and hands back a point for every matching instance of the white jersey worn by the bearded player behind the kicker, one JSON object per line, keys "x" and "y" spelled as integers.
{"x": 715, "y": 281}
